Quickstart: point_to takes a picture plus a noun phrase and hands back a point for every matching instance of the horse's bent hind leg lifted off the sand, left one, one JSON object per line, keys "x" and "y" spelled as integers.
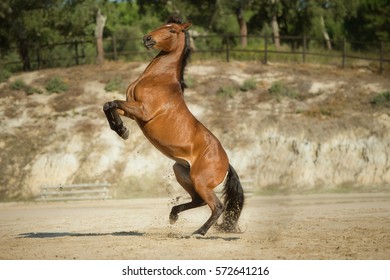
{"x": 182, "y": 174}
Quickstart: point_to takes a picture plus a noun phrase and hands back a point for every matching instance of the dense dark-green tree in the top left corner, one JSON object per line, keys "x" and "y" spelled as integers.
{"x": 28, "y": 25}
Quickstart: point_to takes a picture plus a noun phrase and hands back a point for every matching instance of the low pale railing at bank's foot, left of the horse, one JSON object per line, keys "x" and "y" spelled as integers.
{"x": 74, "y": 192}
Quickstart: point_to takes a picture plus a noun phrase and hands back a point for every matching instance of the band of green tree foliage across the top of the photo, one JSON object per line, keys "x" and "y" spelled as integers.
{"x": 27, "y": 26}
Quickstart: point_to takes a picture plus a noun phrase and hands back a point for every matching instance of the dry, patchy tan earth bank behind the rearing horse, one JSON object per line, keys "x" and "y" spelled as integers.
{"x": 319, "y": 133}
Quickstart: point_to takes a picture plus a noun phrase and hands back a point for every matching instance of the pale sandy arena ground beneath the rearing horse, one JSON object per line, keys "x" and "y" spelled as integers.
{"x": 327, "y": 226}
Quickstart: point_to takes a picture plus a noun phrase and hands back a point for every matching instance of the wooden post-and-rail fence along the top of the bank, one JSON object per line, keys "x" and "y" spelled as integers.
{"x": 264, "y": 50}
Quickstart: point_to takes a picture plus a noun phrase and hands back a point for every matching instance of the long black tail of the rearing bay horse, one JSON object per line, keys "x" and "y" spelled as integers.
{"x": 233, "y": 200}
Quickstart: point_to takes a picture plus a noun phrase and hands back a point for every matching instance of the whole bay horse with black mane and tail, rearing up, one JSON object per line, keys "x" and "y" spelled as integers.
{"x": 155, "y": 101}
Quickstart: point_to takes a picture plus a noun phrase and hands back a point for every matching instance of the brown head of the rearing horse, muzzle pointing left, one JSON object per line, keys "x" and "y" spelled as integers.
{"x": 166, "y": 37}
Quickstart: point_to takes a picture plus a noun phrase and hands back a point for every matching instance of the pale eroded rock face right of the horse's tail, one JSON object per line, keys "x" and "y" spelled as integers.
{"x": 343, "y": 157}
